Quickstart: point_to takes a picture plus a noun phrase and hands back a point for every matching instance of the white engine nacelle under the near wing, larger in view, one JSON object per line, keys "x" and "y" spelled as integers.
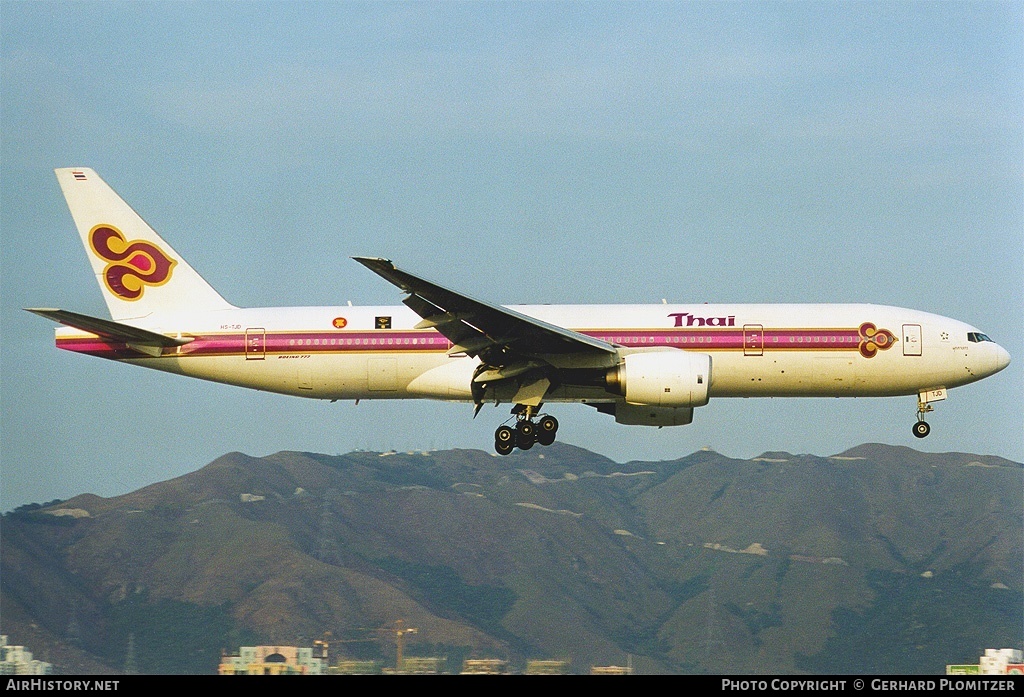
{"x": 670, "y": 379}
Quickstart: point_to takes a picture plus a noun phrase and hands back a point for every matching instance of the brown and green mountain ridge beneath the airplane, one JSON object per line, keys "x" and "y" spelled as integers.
{"x": 703, "y": 563}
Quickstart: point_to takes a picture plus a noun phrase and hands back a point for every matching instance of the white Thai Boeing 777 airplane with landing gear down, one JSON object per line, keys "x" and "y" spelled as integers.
{"x": 643, "y": 365}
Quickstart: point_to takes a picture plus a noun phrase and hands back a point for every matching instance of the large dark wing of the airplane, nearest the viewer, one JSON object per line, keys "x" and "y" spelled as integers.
{"x": 480, "y": 328}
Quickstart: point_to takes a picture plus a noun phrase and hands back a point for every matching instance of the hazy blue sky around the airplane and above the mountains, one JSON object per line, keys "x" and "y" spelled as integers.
{"x": 792, "y": 152}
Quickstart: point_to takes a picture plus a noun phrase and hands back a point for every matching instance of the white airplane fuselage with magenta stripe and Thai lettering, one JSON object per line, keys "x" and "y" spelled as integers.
{"x": 756, "y": 351}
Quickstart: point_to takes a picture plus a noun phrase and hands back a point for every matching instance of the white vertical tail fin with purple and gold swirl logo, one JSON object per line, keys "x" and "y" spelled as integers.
{"x": 139, "y": 273}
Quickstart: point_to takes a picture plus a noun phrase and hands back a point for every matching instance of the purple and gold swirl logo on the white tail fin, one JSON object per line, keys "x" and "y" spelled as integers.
{"x": 132, "y": 267}
